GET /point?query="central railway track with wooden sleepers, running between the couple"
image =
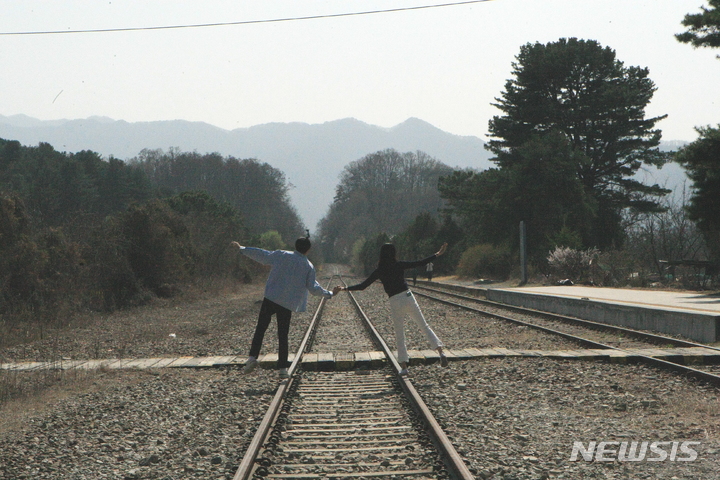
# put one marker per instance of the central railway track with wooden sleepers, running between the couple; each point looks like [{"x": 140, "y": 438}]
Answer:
[{"x": 368, "y": 424}]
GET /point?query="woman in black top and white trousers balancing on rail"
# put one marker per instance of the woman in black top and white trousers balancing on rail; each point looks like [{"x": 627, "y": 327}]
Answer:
[{"x": 402, "y": 302}]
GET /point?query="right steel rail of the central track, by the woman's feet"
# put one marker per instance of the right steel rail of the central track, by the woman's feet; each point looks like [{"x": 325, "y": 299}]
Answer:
[{"x": 452, "y": 459}]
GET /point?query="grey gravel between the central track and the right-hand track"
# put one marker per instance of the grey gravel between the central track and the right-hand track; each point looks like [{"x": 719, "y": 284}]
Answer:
[{"x": 518, "y": 418}]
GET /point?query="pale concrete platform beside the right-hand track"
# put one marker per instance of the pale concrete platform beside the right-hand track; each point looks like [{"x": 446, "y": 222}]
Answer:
[{"x": 693, "y": 315}]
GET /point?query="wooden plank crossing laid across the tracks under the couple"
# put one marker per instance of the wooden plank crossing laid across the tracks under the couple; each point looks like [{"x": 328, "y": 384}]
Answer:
[{"x": 366, "y": 360}]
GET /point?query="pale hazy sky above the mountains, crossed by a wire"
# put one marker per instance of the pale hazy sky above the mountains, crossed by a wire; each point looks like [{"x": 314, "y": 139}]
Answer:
[{"x": 443, "y": 65}]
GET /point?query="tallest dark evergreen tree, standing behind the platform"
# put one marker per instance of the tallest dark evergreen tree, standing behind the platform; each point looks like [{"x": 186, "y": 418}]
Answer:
[{"x": 578, "y": 89}]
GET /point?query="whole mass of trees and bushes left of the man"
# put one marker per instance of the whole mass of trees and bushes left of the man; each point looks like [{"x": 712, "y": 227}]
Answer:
[{"x": 80, "y": 231}]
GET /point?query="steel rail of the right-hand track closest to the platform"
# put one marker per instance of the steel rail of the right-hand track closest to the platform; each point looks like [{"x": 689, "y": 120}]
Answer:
[{"x": 647, "y": 336}]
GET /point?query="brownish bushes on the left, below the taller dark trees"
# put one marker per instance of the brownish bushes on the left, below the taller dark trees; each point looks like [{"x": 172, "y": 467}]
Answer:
[{"x": 147, "y": 250}]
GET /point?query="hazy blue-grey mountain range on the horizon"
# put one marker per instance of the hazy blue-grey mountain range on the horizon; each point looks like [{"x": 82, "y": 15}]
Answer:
[{"x": 312, "y": 156}]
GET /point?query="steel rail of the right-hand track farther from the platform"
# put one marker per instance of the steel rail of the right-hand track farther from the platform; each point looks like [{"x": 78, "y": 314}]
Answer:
[{"x": 664, "y": 364}]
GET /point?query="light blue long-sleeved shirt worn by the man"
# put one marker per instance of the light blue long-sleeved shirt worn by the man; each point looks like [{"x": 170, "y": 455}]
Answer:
[{"x": 291, "y": 277}]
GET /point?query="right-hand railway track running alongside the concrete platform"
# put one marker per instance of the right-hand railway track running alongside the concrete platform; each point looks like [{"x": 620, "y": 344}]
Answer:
[{"x": 613, "y": 337}]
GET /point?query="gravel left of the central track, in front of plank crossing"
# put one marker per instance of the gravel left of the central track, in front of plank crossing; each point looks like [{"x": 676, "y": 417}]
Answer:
[{"x": 142, "y": 424}]
